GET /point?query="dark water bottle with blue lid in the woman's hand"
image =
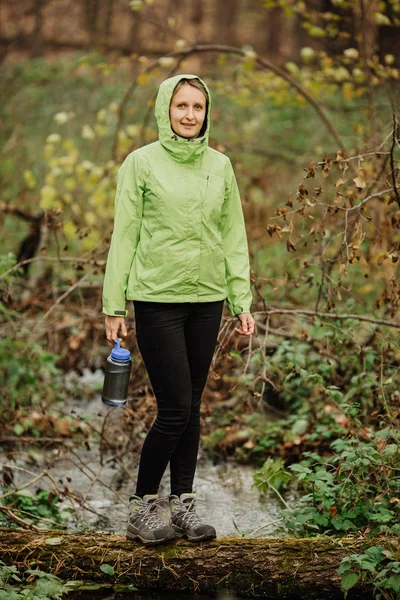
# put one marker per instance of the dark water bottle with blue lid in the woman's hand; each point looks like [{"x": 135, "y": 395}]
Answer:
[{"x": 116, "y": 380}]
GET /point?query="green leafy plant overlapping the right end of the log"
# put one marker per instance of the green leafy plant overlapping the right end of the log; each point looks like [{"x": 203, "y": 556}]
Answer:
[{"x": 377, "y": 566}]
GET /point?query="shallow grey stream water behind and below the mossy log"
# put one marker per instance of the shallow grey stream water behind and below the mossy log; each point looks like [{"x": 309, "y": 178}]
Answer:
[{"x": 232, "y": 504}]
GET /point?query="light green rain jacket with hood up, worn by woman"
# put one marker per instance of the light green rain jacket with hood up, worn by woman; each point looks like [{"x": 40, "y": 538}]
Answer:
[{"x": 179, "y": 232}]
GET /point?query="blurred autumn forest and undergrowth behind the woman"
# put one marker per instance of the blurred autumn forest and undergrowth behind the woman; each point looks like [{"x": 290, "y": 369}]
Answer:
[{"x": 306, "y": 99}]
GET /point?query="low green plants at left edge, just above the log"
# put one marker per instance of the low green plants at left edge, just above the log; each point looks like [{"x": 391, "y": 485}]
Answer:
[{"x": 43, "y": 507}]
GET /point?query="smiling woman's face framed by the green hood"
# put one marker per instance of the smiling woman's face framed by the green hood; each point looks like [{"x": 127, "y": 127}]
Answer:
[{"x": 187, "y": 111}]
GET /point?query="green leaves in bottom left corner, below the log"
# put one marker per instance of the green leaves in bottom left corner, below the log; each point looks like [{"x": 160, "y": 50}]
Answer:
[{"x": 33, "y": 585}]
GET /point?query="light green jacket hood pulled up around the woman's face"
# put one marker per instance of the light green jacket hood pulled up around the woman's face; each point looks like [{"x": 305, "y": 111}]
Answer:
[{"x": 182, "y": 149}]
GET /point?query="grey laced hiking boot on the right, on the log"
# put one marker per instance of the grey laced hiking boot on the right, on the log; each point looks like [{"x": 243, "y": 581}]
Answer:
[{"x": 186, "y": 522}]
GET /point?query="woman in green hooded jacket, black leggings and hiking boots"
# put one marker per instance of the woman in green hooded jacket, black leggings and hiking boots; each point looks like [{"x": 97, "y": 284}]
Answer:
[{"x": 178, "y": 250}]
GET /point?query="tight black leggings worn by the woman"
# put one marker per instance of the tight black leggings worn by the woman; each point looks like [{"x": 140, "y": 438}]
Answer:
[{"x": 177, "y": 342}]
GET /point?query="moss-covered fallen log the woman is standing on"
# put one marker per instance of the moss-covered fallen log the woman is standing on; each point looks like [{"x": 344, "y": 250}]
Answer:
[{"x": 295, "y": 568}]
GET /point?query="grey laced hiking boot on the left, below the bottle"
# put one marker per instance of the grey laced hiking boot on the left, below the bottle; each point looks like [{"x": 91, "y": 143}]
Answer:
[{"x": 144, "y": 523}]
